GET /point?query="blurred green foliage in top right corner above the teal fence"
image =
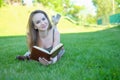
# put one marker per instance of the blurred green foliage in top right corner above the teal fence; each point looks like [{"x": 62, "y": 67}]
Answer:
[{"x": 107, "y": 7}]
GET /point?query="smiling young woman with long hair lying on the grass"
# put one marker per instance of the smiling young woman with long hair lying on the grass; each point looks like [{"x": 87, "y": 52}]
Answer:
[{"x": 42, "y": 34}]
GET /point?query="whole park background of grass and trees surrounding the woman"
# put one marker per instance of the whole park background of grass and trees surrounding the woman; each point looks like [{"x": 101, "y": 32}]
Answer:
[{"x": 90, "y": 35}]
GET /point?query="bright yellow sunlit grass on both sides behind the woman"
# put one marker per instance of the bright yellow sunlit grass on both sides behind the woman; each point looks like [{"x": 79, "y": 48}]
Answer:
[{"x": 13, "y": 21}]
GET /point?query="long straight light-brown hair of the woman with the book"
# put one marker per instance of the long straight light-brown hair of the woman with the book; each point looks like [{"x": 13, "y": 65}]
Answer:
[{"x": 32, "y": 33}]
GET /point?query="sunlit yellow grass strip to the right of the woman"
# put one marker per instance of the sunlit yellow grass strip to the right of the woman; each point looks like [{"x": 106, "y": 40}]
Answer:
[{"x": 67, "y": 27}]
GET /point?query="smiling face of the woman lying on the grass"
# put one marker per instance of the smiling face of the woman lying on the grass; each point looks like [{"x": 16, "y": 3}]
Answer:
[{"x": 40, "y": 21}]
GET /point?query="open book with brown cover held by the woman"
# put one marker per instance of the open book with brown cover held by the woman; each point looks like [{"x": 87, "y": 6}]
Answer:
[{"x": 40, "y": 52}]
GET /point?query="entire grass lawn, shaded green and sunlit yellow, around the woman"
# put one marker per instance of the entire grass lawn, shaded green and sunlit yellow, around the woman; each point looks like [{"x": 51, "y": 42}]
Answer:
[{"x": 91, "y": 54}]
